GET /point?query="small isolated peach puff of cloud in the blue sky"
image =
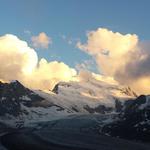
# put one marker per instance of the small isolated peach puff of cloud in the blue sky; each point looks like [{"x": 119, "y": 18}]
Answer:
[{"x": 41, "y": 41}]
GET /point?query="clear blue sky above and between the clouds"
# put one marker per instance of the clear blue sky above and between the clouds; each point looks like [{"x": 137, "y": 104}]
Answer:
[{"x": 72, "y": 18}]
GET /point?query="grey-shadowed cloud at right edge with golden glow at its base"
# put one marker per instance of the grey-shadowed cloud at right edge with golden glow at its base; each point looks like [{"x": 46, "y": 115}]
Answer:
[{"x": 137, "y": 69}]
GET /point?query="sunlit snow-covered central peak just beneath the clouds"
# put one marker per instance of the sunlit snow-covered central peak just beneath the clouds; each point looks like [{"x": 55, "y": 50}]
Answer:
[{"x": 93, "y": 96}]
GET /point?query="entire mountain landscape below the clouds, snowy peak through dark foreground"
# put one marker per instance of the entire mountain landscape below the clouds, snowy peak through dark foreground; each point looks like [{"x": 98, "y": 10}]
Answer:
[{"x": 72, "y": 114}]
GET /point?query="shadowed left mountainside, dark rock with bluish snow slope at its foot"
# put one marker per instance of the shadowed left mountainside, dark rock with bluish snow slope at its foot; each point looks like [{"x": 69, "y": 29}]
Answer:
[{"x": 20, "y": 105}]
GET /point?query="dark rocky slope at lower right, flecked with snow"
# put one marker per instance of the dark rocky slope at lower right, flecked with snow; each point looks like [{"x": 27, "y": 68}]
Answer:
[{"x": 133, "y": 122}]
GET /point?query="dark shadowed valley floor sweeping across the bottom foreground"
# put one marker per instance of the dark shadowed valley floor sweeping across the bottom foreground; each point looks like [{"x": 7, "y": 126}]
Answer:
[{"x": 73, "y": 133}]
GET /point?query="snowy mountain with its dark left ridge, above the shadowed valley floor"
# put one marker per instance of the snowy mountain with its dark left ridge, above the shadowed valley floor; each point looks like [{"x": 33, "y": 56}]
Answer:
[{"x": 20, "y": 104}]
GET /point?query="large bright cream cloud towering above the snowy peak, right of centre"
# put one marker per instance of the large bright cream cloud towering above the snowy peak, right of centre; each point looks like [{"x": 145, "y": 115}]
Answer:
[{"x": 115, "y": 44}]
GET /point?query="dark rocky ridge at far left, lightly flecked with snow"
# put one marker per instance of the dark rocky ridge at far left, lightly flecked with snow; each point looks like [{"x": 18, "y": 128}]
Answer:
[{"x": 13, "y": 95}]
